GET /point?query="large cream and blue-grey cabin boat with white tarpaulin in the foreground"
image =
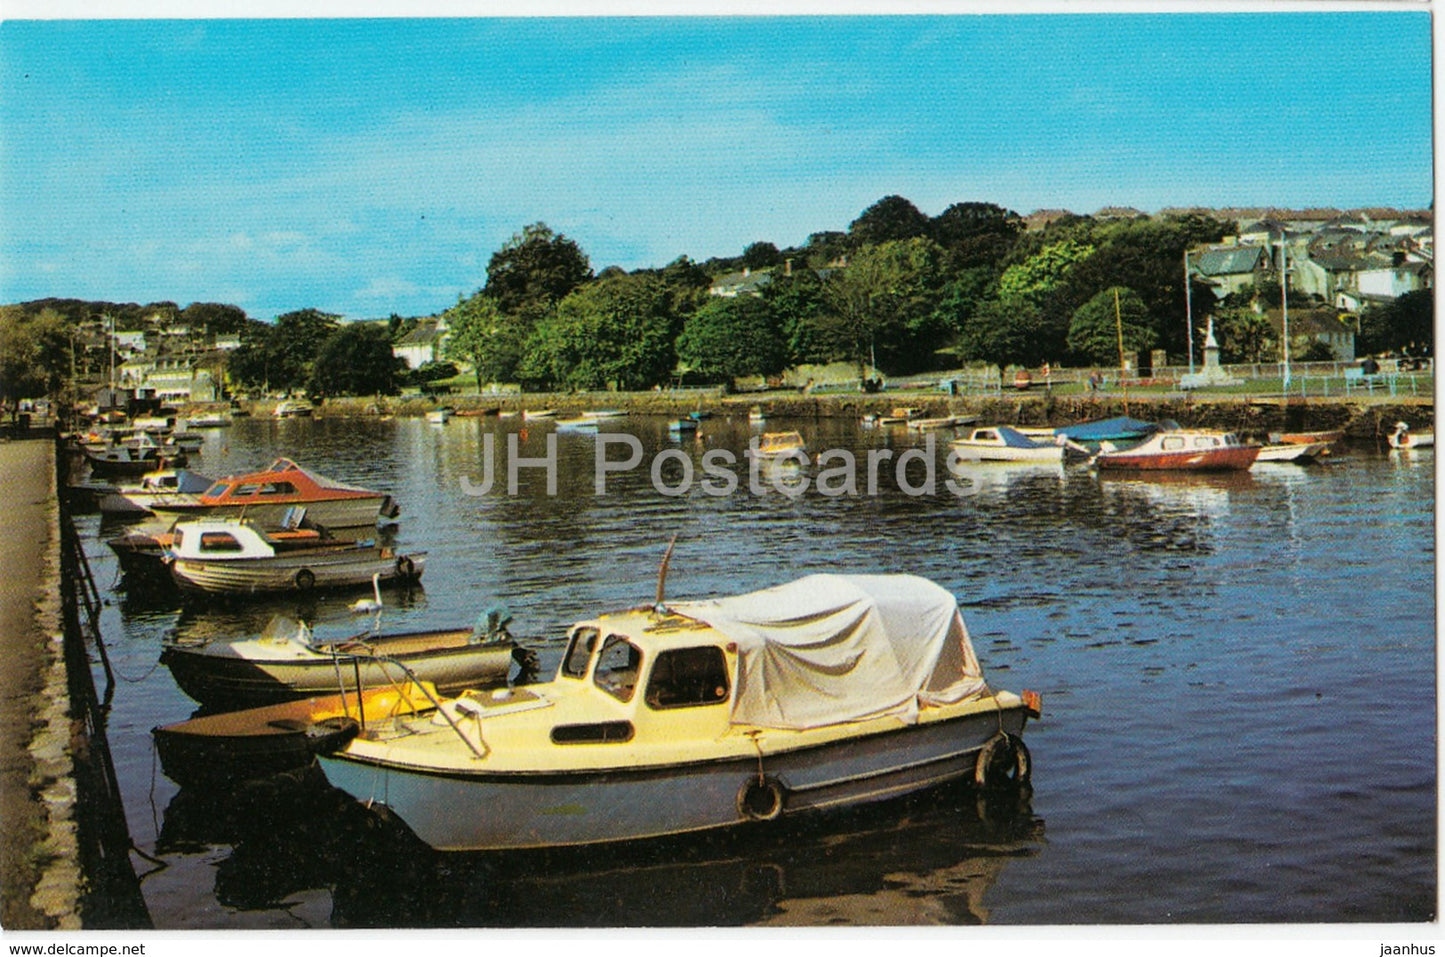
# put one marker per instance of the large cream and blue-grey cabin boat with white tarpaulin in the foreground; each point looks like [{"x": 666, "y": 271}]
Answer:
[{"x": 826, "y": 693}]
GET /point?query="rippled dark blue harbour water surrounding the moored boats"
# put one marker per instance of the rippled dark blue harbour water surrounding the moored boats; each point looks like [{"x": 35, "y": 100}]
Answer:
[{"x": 1238, "y": 674}]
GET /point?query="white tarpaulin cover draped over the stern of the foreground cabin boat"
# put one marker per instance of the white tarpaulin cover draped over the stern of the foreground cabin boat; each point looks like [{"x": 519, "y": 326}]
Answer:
[{"x": 843, "y": 648}]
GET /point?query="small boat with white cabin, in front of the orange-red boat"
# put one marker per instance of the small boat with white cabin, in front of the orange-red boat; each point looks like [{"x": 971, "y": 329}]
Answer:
[{"x": 233, "y": 557}]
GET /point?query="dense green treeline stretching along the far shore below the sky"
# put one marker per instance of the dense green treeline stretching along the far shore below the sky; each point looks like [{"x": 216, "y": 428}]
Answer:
[{"x": 898, "y": 291}]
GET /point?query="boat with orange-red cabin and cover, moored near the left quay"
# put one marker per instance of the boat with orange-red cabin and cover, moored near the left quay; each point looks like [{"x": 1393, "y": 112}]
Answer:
[{"x": 267, "y": 497}]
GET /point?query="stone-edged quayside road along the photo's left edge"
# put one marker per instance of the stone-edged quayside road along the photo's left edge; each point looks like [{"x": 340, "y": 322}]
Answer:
[{"x": 34, "y": 871}]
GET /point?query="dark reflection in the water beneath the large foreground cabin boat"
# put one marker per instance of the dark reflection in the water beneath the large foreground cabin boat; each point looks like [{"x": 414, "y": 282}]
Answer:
[{"x": 927, "y": 859}]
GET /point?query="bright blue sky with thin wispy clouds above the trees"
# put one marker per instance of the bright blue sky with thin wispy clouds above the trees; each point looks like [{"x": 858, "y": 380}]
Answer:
[{"x": 372, "y": 167}]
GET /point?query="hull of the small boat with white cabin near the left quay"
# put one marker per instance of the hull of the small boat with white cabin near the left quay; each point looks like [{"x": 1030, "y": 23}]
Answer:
[{"x": 297, "y": 572}]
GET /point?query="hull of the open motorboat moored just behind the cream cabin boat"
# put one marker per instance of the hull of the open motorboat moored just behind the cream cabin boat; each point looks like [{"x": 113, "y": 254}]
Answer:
[{"x": 446, "y": 660}]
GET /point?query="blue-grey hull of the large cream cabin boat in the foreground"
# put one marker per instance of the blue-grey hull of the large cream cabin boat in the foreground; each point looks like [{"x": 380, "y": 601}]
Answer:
[{"x": 535, "y": 810}]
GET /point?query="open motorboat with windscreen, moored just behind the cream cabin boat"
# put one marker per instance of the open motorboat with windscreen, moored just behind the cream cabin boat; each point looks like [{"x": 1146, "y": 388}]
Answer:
[{"x": 287, "y": 663}]
